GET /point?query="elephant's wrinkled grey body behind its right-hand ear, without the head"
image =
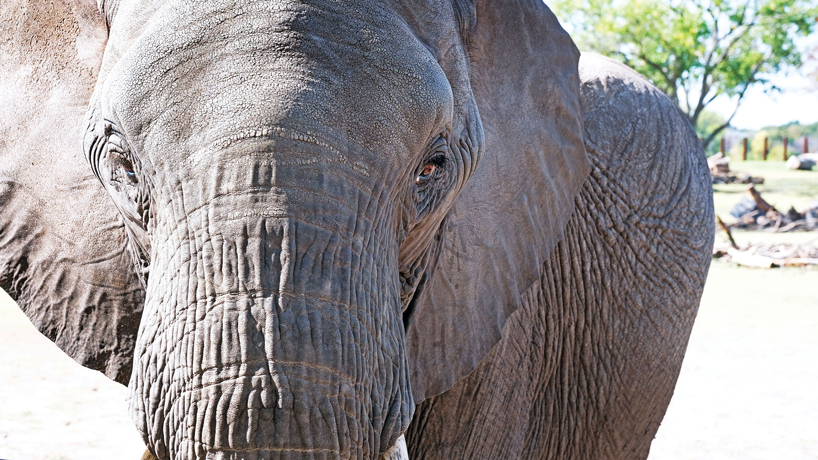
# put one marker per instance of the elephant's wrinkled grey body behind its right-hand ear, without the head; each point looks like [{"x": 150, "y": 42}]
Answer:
[{"x": 586, "y": 368}]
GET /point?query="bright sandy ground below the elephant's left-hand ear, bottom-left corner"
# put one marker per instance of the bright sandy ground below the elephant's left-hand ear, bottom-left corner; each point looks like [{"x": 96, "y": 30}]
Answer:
[{"x": 51, "y": 408}]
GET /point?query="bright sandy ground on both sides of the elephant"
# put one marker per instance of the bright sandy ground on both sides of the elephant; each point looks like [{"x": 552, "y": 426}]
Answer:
[{"x": 747, "y": 389}]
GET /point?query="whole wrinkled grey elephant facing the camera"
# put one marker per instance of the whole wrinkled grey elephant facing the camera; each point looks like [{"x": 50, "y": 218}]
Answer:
[{"x": 362, "y": 229}]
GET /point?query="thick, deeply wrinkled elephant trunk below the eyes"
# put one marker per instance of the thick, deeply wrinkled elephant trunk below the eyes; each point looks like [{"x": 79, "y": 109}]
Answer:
[{"x": 269, "y": 333}]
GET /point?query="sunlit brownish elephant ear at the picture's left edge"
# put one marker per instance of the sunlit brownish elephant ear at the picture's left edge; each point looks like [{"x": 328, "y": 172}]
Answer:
[{"x": 63, "y": 254}]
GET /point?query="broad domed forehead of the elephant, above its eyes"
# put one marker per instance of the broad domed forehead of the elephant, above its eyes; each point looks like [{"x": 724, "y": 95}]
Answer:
[{"x": 206, "y": 74}]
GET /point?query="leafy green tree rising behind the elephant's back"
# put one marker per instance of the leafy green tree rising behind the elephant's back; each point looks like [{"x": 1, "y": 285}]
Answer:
[{"x": 695, "y": 50}]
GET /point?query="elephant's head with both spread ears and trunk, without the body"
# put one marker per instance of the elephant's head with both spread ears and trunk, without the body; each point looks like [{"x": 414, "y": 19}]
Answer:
[{"x": 328, "y": 209}]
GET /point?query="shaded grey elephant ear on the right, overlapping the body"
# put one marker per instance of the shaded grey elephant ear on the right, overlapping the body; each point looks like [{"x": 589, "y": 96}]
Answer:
[{"x": 512, "y": 213}]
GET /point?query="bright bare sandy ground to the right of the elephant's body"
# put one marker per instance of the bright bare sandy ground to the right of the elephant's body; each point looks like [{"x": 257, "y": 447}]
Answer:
[{"x": 749, "y": 385}]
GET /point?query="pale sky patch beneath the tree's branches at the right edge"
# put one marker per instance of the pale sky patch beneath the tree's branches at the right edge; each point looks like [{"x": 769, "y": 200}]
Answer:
[{"x": 797, "y": 101}]
